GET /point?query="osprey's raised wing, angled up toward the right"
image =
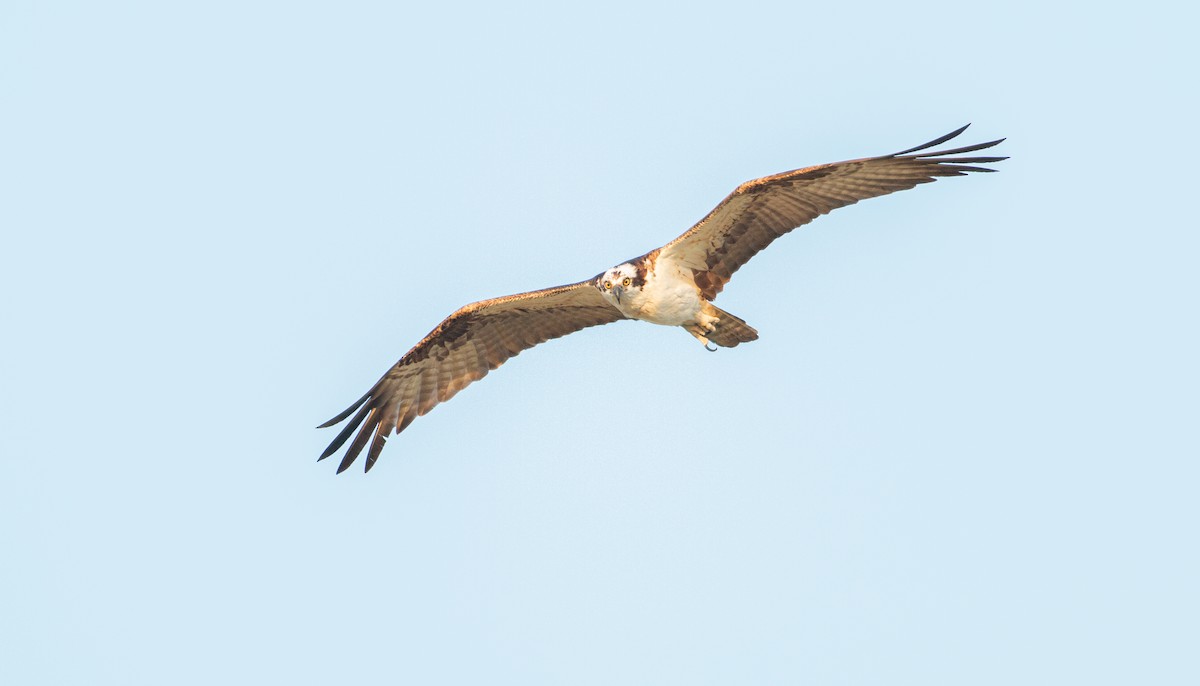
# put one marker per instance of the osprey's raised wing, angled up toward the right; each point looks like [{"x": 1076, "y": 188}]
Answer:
[{"x": 763, "y": 210}]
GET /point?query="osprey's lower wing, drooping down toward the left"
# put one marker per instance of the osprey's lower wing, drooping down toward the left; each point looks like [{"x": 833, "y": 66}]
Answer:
[{"x": 463, "y": 350}]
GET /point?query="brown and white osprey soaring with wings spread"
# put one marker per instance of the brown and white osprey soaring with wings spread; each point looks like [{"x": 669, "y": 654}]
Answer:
[{"x": 674, "y": 286}]
